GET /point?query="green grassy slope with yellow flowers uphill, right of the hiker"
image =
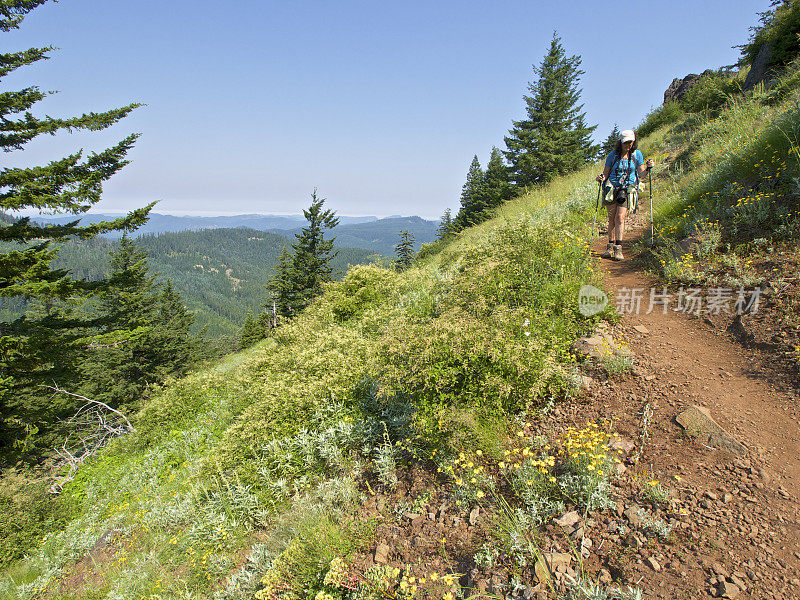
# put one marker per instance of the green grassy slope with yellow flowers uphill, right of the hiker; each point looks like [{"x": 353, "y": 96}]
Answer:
[{"x": 733, "y": 187}]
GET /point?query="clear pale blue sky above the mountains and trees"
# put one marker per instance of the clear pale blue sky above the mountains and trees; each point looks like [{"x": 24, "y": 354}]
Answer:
[{"x": 379, "y": 105}]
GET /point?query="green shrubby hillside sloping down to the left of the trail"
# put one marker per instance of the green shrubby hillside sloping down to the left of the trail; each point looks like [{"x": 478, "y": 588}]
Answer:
[{"x": 386, "y": 369}]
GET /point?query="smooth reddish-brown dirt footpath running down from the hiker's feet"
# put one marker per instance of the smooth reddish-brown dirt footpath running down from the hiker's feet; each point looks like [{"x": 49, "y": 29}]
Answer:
[{"x": 712, "y": 369}]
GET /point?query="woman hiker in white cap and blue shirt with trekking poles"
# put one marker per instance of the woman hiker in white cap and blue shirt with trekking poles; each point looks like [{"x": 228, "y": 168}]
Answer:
[{"x": 620, "y": 176}]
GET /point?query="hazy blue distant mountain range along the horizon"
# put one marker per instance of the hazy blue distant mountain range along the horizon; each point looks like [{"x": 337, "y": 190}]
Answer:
[{"x": 369, "y": 233}]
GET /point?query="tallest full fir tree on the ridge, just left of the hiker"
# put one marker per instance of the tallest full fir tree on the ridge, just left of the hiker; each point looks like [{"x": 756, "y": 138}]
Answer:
[{"x": 554, "y": 140}]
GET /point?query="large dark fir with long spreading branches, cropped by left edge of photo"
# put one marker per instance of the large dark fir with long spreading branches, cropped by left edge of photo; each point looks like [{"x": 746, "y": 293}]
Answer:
[{"x": 72, "y": 185}]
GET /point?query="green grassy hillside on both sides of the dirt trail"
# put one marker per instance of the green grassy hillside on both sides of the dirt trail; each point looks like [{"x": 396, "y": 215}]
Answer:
[{"x": 243, "y": 481}]
